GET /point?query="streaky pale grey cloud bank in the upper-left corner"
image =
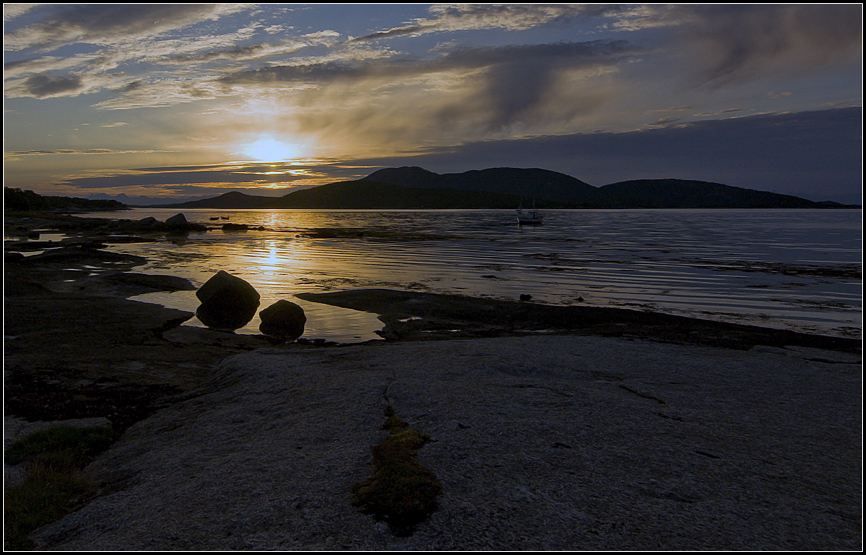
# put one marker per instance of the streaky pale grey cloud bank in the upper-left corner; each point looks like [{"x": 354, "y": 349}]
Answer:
[{"x": 117, "y": 46}]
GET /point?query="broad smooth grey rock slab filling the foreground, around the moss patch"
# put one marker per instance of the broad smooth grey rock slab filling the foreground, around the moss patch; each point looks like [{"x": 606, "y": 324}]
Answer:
[{"x": 539, "y": 443}]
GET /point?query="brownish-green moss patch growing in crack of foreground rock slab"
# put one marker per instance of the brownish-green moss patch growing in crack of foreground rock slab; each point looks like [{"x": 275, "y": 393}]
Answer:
[{"x": 401, "y": 491}]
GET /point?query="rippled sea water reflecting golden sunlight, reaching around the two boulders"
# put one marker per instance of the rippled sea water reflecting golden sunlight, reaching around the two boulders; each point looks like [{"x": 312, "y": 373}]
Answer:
[{"x": 793, "y": 269}]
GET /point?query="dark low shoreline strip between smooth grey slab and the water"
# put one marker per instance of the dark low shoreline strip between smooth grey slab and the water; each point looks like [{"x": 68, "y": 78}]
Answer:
[{"x": 71, "y": 304}]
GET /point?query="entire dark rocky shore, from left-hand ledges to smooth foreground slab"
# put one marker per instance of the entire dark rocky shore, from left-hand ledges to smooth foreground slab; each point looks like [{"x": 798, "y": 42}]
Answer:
[{"x": 552, "y": 427}]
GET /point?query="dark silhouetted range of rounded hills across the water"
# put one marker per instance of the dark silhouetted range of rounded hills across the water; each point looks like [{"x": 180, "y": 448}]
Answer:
[{"x": 417, "y": 188}]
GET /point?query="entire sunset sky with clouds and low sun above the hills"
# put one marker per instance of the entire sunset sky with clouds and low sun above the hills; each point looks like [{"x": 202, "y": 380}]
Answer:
[{"x": 169, "y": 102}]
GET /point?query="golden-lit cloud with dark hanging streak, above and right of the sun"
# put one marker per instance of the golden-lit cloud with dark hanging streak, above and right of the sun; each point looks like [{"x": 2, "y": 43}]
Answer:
[{"x": 460, "y": 90}]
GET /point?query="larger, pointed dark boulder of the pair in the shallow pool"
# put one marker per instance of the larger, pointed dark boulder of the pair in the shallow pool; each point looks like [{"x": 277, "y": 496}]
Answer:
[{"x": 227, "y": 302}]
